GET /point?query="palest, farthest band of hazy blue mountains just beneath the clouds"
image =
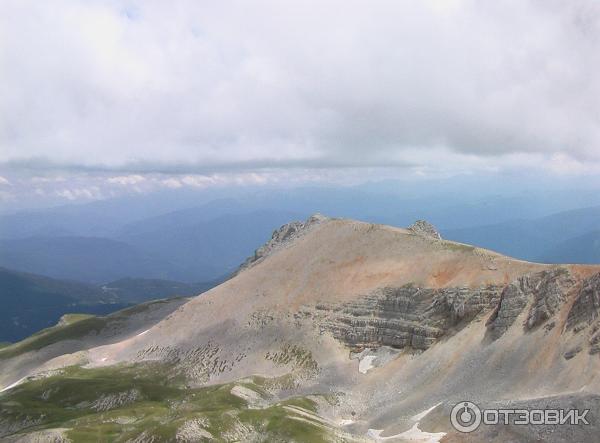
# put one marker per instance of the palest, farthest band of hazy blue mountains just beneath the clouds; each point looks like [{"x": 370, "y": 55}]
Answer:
[{"x": 452, "y": 203}]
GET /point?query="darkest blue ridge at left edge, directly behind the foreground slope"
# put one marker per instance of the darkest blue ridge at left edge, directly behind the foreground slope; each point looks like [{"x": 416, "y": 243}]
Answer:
[{"x": 32, "y": 302}]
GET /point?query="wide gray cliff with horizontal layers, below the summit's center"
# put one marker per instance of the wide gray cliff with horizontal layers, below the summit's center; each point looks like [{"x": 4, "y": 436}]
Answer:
[{"x": 406, "y": 316}]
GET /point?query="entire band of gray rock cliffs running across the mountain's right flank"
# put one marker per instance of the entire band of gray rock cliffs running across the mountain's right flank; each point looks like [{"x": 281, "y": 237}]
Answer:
[{"x": 411, "y": 317}]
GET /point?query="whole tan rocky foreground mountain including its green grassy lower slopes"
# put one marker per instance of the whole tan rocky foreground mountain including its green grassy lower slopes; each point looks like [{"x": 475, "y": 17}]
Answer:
[{"x": 334, "y": 330}]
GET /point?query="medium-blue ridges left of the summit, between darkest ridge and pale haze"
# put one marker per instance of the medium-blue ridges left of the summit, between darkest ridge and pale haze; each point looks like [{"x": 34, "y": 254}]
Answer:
[{"x": 184, "y": 245}]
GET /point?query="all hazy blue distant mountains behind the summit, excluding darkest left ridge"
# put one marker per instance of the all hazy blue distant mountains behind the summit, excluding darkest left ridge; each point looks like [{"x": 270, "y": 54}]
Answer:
[{"x": 120, "y": 238}]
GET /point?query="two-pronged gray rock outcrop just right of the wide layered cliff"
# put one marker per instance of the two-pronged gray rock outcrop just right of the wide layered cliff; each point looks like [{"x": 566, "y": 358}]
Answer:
[{"x": 546, "y": 290}]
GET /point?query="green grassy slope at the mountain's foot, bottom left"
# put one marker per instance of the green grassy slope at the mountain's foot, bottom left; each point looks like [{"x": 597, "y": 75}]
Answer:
[{"x": 162, "y": 406}]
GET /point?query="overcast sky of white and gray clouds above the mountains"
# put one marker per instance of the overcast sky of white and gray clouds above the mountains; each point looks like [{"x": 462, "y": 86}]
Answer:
[{"x": 222, "y": 90}]
